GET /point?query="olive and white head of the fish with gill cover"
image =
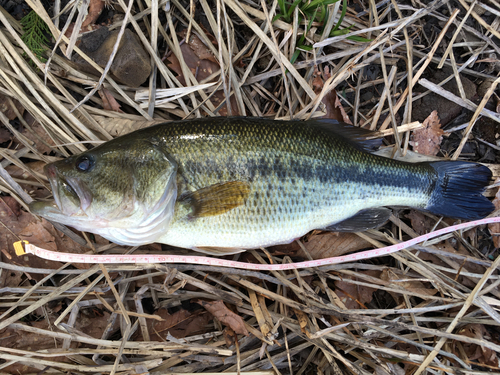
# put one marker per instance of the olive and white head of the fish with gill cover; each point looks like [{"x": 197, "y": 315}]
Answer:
[{"x": 125, "y": 192}]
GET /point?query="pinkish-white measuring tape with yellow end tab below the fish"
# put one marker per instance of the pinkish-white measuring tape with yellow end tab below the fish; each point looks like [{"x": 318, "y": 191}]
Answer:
[{"x": 194, "y": 259}]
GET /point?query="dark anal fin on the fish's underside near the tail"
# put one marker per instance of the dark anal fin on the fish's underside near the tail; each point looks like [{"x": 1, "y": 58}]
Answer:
[{"x": 363, "y": 220}]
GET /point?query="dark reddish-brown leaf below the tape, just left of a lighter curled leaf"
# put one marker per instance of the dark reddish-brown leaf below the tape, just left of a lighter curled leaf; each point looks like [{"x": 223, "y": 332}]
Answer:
[{"x": 179, "y": 324}]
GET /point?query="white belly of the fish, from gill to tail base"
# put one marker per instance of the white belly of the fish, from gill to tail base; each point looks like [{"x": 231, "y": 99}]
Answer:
[{"x": 238, "y": 230}]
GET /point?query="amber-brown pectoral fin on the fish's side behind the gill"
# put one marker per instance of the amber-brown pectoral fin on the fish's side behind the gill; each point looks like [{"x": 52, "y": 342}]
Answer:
[{"x": 217, "y": 199}]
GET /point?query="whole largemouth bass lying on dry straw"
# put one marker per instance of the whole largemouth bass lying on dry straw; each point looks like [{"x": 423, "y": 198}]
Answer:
[{"x": 224, "y": 185}]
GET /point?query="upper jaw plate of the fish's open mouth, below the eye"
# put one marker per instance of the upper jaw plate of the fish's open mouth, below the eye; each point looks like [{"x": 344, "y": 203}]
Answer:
[{"x": 70, "y": 194}]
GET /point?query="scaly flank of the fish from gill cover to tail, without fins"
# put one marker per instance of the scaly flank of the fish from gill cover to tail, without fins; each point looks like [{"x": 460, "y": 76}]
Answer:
[{"x": 278, "y": 210}]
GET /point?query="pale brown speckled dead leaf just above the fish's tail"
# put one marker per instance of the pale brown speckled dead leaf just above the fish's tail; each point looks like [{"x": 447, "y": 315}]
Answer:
[{"x": 427, "y": 140}]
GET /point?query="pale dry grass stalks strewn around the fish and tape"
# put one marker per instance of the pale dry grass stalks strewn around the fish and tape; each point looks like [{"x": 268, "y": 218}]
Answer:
[{"x": 299, "y": 322}]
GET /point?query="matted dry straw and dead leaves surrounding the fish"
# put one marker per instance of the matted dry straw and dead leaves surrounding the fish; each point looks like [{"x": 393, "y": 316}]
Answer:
[{"x": 430, "y": 309}]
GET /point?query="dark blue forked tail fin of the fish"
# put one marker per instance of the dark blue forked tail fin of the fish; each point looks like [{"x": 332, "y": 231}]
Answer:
[{"x": 458, "y": 190}]
